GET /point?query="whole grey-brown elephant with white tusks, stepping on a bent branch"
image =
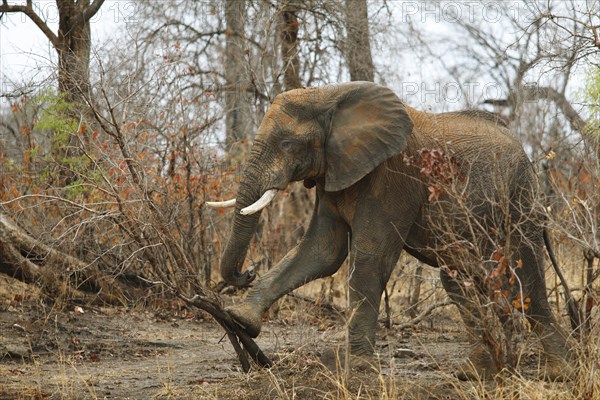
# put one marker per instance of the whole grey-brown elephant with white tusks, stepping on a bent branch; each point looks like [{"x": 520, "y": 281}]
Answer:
[{"x": 364, "y": 150}]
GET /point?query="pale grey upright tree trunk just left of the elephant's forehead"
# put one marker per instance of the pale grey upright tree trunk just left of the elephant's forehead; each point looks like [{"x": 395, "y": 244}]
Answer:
[{"x": 237, "y": 107}]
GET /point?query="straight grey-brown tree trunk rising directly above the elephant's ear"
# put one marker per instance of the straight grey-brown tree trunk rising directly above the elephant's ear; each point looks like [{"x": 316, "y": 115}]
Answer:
[{"x": 358, "y": 46}]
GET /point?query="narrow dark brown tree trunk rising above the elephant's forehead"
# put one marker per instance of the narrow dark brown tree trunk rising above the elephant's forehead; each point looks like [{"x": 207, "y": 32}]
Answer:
[{"x": 288, "y": 28}]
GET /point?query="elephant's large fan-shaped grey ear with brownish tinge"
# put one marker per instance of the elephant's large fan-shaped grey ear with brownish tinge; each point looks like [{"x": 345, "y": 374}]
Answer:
[{"x": 369, "y": 125}]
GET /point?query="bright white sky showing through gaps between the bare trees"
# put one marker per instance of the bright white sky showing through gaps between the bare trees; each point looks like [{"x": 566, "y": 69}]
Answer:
[{"x": 27, "y": 56}]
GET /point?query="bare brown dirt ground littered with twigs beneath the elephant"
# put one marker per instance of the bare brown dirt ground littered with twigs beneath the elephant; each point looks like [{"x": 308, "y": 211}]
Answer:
[{"x": 109, "y": 353}]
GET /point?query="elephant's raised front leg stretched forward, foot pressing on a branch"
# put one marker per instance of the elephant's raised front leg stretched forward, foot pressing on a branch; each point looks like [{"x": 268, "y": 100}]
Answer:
[{"x": 319, "y": 254}]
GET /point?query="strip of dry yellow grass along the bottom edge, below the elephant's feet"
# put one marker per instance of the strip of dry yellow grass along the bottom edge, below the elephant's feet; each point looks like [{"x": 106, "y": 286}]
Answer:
[{"x": 298, "y": 378}]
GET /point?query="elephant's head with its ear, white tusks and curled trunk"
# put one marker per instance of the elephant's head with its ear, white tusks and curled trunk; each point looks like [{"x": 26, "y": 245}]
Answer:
[{"x": 333, "y": 135}]
